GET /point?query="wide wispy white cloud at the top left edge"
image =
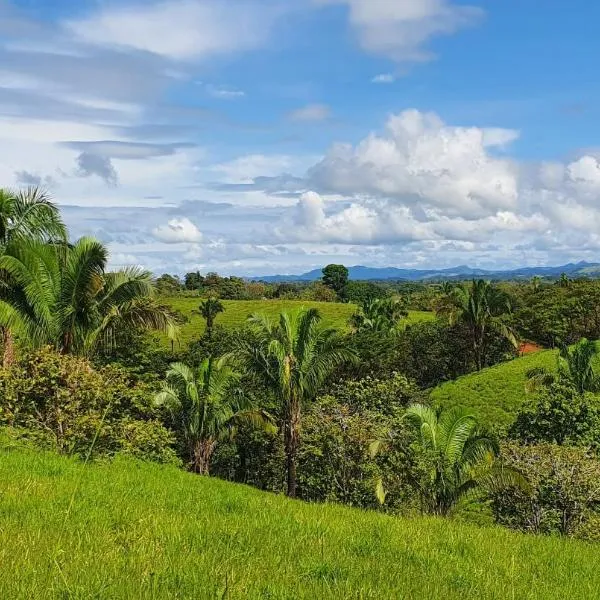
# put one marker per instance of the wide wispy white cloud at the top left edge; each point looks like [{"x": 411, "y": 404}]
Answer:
[{"x": 177, "y": 29}]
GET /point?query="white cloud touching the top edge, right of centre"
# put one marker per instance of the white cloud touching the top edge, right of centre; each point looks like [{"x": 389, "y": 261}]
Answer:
[{"x": 402, "y": 29}]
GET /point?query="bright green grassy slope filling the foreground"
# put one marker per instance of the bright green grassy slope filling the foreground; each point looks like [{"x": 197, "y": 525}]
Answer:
[{"x": 135, "y": 530}]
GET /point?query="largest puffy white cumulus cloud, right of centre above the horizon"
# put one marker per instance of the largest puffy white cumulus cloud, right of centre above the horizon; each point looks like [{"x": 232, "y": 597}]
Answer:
[{"x": 421, "y": 161}]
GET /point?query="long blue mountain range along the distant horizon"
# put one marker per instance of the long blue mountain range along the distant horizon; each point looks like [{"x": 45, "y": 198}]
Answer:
[{"x": 360, "y": 273}]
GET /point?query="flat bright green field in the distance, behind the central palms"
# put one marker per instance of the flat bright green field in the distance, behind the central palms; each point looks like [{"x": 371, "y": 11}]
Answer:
[{"x": 237, "y": 312}]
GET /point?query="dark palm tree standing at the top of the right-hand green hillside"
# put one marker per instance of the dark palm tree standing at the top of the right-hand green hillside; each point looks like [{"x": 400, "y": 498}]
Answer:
[{"x": 479, "y": 308}]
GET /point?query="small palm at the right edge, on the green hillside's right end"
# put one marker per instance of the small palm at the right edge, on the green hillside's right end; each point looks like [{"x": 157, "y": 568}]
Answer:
[{"x": 574, "y": 364}]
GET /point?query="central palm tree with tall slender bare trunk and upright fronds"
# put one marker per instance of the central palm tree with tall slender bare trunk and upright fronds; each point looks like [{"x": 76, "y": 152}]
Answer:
[{"x": 293, "y": 357}]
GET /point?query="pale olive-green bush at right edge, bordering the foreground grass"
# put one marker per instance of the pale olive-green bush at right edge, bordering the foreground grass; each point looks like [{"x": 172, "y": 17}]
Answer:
[{"x": 564, "y": 497}]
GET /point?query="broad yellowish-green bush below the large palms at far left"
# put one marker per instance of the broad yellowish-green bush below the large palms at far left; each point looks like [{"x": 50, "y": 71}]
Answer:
[{"x": 62, "y": 402}]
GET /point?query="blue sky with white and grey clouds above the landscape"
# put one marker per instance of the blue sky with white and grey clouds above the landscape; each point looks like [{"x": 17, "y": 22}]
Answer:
[{"x": 255, "y": 137}]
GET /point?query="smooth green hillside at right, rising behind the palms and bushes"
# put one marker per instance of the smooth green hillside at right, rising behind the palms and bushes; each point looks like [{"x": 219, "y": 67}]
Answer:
[{"x": 495, "y": 393}]
